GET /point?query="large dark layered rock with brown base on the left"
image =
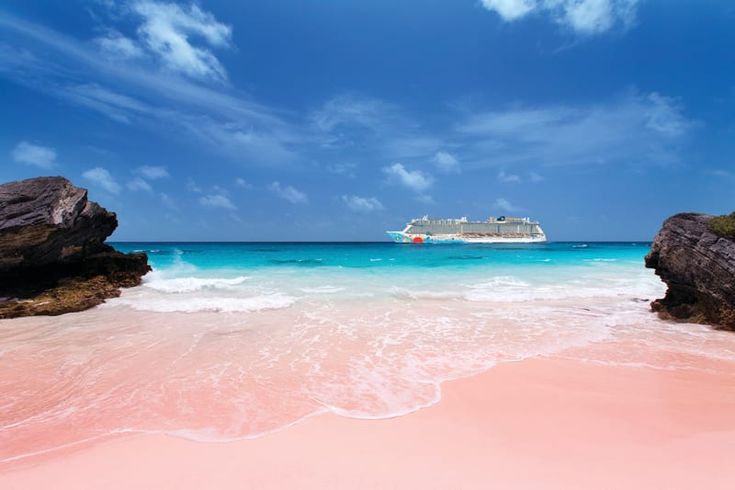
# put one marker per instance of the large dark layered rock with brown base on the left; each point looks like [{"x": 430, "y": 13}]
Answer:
[{"x": 53, "y": 258}]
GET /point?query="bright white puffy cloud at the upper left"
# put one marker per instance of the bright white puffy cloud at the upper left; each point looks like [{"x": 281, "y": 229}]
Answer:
[{"x": 168, "y": 30}]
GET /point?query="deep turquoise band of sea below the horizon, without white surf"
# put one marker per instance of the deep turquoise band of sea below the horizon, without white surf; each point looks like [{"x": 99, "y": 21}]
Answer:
[{"x": 382, "y": 256}]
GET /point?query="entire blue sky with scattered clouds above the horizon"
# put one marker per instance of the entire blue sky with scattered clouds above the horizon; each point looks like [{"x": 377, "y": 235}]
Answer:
[{"x": 337, "y": 120}]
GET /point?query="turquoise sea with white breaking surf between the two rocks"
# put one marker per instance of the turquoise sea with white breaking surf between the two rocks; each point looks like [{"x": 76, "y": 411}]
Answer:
[{"x": 248, "y": 277}]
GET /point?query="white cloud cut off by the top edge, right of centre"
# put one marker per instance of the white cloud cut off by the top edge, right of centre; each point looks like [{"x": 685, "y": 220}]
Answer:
[{"x": 582, "y": 16}]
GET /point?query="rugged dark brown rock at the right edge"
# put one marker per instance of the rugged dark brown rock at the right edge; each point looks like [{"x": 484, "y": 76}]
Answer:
[{"x": 698, "y": 267}]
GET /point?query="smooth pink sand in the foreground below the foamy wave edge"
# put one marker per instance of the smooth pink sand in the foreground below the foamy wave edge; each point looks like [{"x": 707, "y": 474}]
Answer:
[{"x": 523, "y": 424}]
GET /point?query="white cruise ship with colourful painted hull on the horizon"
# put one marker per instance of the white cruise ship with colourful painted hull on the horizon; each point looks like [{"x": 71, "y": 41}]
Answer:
[{"x": 503, "y": 229}]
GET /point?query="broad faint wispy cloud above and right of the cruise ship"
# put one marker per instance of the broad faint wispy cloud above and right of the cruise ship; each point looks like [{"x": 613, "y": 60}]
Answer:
[{"x": 633, "y": 129}]
